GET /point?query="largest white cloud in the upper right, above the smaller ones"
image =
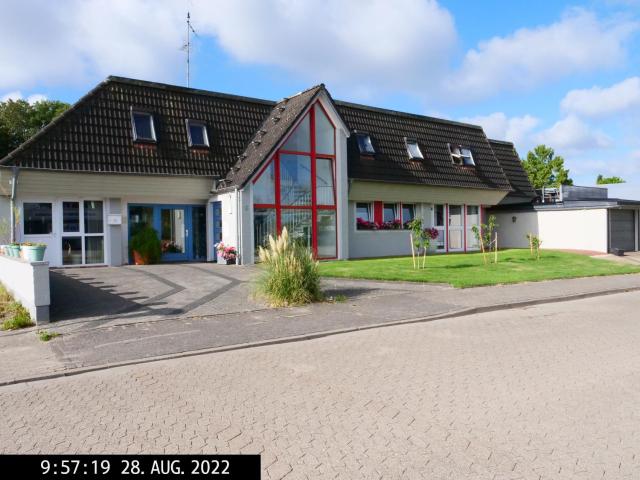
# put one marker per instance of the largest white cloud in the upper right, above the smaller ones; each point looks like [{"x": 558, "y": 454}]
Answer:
[{"x": 579, "y": 42}]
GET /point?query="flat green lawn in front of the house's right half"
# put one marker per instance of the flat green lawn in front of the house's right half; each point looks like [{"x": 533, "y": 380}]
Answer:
[{"x": 468, "y": 270}]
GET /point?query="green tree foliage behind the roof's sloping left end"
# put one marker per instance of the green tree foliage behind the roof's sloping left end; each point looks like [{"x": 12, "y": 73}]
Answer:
[{"x": 20, "y": 120}]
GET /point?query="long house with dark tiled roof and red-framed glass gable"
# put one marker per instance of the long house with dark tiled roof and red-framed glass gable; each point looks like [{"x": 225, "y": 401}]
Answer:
[{"x": 203, "y": 167}]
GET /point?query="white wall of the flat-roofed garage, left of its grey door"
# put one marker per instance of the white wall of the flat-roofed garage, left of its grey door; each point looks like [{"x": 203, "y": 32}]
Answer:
[{"x": 558, "y": 229}]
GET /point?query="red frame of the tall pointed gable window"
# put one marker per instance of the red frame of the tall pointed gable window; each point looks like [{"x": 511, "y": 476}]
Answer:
[{"x": 313, "y": 207}]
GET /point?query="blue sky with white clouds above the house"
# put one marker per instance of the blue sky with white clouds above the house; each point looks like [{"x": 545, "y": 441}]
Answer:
[{"x": 566, "y": 74}]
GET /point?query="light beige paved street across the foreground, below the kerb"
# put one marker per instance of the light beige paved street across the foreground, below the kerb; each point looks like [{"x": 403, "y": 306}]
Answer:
[{"x": 547, "y": 392}]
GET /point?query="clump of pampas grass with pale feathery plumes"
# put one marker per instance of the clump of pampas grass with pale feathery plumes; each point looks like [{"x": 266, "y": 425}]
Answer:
[{"x": 290, "y": 275}]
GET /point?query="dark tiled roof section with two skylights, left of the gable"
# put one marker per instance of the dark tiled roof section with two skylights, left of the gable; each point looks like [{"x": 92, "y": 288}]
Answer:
[{"x": 95, "y": 134}]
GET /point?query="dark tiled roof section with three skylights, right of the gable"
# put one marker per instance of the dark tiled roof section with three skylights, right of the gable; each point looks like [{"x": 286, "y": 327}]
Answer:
[{"x": 391, "y": 162}]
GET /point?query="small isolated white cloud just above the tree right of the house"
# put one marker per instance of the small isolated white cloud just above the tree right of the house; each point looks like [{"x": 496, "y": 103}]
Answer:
[{"x": 573, "y": 135}]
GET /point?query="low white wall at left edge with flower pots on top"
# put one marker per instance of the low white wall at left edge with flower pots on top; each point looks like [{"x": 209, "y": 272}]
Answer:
[{"x": 29, "y": 284}]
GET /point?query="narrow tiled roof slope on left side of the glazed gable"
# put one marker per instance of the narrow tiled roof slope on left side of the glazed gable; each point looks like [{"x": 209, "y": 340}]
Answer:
[{"x": 274, "y": 128}]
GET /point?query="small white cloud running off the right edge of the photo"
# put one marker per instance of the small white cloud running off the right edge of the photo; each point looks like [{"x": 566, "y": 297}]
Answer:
[{"x": 600, "y": 102}]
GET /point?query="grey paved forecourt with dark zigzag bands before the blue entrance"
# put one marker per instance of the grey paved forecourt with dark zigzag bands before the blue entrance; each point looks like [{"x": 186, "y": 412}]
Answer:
[{"x": 151, "y": 292}]
